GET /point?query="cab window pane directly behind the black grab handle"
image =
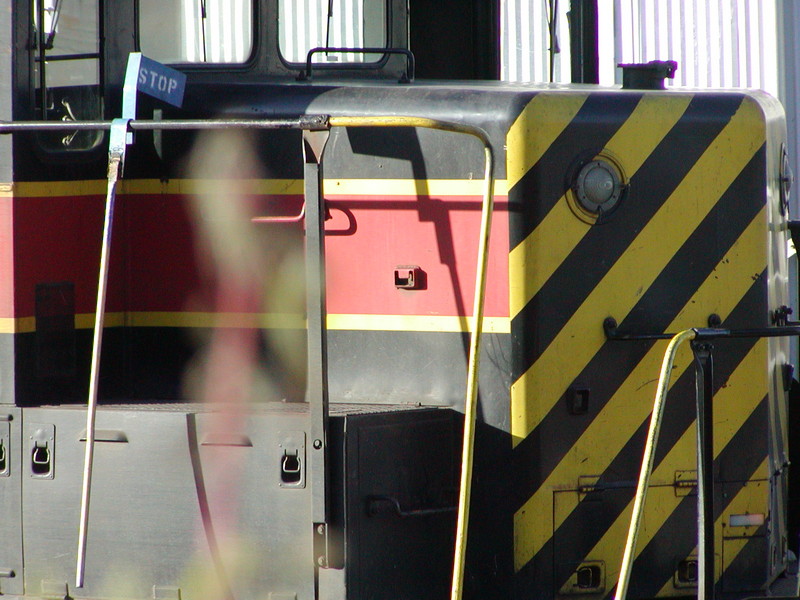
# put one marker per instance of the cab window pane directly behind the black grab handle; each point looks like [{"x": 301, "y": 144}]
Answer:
[{"x": 307, "y": 24}]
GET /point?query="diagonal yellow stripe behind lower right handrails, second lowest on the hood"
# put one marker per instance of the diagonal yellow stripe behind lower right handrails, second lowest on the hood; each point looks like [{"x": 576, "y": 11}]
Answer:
[{"x": 733, "y": 403}]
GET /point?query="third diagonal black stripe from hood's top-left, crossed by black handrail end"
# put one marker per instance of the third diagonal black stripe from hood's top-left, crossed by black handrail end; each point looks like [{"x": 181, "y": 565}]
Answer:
[{"x": 542, "y": 450}]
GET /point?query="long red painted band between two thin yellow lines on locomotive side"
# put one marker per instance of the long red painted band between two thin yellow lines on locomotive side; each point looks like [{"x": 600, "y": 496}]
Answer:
[{"x": 154, "y": 265}]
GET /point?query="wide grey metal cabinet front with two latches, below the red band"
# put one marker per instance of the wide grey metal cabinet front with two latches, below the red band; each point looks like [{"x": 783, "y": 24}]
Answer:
[{"x": 190, "y": 501}]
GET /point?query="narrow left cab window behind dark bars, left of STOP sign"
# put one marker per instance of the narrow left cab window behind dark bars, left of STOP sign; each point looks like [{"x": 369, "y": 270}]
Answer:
[{"x": 67, "y": 68}]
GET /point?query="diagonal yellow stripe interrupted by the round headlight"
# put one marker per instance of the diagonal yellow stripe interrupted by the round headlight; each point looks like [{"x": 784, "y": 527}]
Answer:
[{"x": 535, "y": 259}]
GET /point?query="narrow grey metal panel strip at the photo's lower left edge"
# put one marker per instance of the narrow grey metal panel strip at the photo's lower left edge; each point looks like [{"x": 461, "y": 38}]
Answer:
[{"x": 10, "y": 503}]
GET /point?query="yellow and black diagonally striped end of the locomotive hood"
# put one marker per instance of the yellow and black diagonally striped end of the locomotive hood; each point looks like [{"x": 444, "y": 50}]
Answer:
[{"x": 690, "y": 238}]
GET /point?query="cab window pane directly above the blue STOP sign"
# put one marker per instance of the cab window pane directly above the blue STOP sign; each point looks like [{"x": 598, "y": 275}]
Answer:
[{"x": 196, "y": 31}]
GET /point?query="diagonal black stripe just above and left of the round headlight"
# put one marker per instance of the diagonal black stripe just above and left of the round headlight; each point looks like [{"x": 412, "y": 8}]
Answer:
[{"x": 589, "y": 131}]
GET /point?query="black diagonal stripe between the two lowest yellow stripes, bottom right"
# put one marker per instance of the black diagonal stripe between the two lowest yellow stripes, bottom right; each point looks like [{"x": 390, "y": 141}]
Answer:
[{"x": 678, "y": 535}]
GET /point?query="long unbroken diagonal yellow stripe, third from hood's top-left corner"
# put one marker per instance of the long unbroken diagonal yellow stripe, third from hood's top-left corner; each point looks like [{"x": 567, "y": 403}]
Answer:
[{"x": 535, "y": 393}]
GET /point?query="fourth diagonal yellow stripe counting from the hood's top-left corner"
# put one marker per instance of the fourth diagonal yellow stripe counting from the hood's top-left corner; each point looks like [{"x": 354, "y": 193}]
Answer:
[{"x": 632, "y": 402}]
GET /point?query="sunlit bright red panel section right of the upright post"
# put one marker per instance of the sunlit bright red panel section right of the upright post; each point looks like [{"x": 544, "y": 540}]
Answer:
[{"x": 368, "y": 237}]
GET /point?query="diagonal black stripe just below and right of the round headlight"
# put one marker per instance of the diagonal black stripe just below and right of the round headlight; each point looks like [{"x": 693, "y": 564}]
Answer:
[{"x": 535, "y": 327}]
